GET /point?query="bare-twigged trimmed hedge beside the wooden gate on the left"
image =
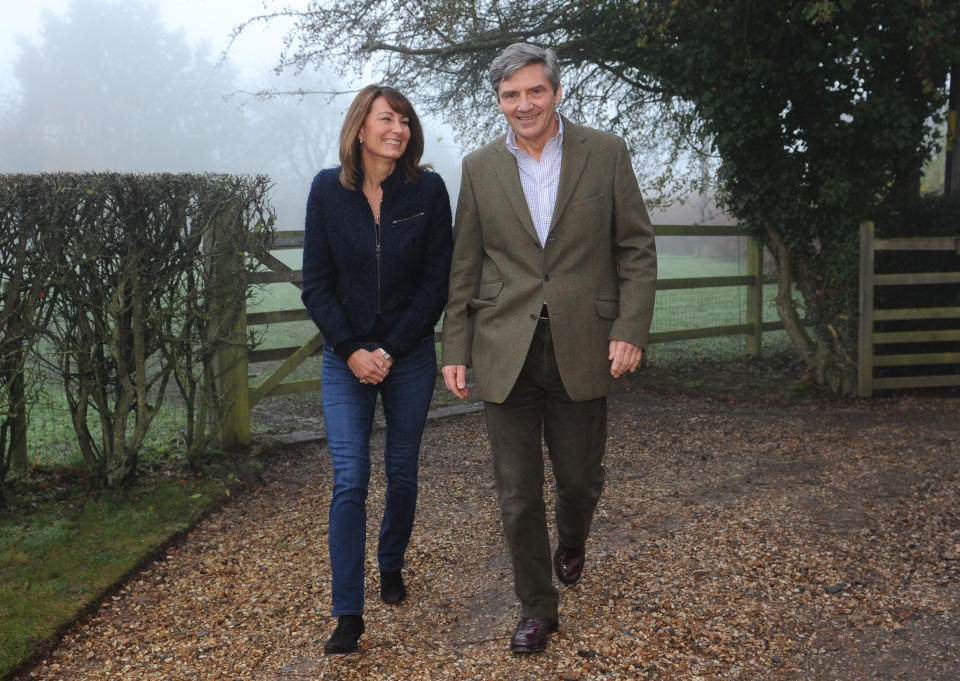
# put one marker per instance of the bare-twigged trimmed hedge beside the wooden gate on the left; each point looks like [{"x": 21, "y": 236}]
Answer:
[{"x": 123, "y": 285}]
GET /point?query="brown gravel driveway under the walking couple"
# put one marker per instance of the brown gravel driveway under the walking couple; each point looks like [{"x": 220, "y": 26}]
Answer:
[{"x": 735, "y": 540}]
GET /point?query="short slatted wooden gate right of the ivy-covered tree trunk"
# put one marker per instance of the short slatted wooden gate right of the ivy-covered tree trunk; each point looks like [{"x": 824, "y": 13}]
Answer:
[{"x": 869, "y": 338}]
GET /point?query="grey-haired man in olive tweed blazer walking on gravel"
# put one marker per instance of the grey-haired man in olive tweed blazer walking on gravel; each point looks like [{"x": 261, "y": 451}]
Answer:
[{"x": 551, "y": 296}]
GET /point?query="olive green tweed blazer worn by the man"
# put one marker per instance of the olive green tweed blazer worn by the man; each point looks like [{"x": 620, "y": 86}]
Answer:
[{"x": 597, "y": 271}]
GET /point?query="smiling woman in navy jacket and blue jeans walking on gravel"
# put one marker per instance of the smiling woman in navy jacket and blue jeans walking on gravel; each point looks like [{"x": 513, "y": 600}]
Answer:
[{"x": 376, "y": 257}]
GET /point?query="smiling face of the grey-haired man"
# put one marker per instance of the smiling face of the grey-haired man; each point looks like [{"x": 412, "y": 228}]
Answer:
[{"x": 528, "y": 101}]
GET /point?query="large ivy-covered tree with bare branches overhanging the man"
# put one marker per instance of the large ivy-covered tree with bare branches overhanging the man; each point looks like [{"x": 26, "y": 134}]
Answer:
[{"x": 821, "y": 112}]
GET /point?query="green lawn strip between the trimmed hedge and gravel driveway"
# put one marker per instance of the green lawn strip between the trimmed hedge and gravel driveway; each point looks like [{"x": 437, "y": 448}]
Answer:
[{"x": 64, "y": 543}]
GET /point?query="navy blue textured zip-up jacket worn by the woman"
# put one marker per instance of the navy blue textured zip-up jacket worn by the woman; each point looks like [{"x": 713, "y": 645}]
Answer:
[{"x": 347, "y": 282}]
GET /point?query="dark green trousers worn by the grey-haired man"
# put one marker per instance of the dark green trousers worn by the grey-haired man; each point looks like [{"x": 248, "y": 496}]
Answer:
[{"x": 538, "y": 409}]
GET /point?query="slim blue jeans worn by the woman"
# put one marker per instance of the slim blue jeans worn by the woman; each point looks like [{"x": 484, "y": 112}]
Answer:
[{"x": 348, "y": 409}]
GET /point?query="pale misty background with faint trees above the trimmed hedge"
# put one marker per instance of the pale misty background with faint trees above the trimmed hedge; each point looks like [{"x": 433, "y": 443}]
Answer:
[{"x": 145, "y": 86}]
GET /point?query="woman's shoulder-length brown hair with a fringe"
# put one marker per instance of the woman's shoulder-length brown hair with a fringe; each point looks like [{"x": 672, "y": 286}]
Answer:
[{"x": 350, "y": 144}]
